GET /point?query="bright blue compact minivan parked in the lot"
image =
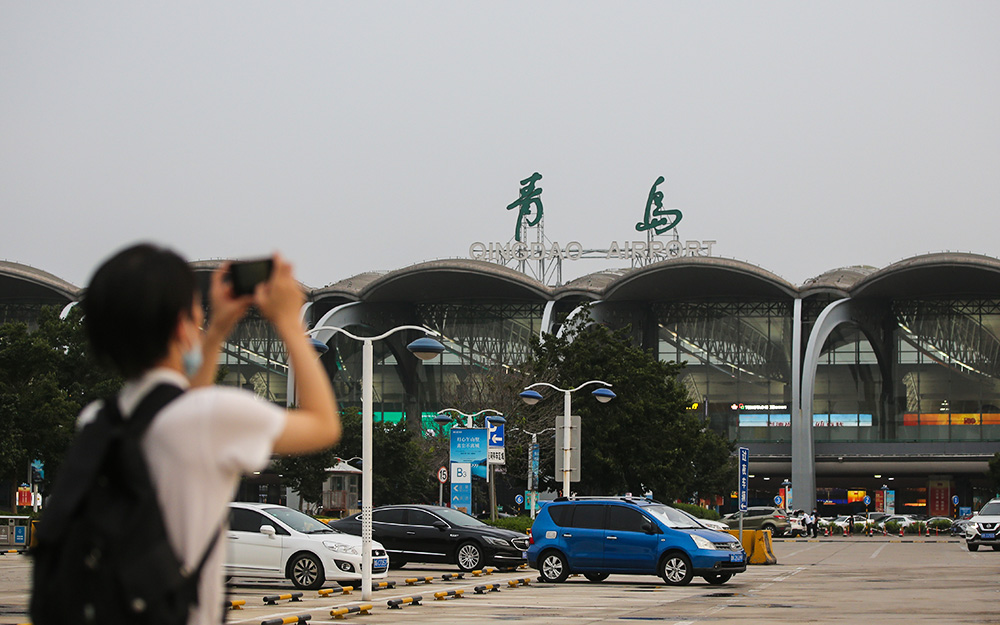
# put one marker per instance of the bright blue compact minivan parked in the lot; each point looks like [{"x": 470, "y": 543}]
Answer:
[{"x": 598, "y": 537}]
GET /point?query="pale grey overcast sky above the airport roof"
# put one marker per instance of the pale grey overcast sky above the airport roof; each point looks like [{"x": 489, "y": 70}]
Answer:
[{"x": 356, "y": 136}]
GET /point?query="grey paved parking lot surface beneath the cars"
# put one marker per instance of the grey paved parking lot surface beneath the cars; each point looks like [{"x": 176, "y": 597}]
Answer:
[{"x": 825, "y": 581}]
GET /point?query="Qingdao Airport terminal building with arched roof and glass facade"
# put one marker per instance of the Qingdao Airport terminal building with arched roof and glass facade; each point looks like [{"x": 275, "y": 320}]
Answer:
[{"x": 883, "y": 382}]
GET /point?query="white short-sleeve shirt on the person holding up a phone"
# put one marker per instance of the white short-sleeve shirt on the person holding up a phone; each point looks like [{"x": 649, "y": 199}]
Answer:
[{"x": 197, "y": 448}]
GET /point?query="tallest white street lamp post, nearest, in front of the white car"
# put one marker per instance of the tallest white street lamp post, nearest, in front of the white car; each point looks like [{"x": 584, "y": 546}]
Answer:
[{"x": 424, "y": 348}]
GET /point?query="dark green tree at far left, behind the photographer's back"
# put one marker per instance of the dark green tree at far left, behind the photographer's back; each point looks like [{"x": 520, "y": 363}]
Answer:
[{"x": 47, "y": 375}]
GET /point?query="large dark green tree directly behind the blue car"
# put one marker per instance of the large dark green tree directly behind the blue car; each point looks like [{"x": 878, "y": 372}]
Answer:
[{"x": 644, "y": 440}]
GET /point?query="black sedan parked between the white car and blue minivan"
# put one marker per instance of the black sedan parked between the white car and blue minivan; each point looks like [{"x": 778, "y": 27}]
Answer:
[{"x": 419, "y": 533}]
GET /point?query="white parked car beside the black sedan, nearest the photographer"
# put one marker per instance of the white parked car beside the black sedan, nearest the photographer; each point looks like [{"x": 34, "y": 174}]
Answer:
[{"x": 275, "y": 542}]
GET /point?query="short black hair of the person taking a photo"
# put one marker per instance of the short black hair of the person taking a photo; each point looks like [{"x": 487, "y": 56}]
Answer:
[{"x": 132, "y": 305}]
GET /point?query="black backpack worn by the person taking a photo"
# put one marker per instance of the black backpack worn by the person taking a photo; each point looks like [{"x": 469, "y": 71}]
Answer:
[{"x": 103, "y": 555}]
